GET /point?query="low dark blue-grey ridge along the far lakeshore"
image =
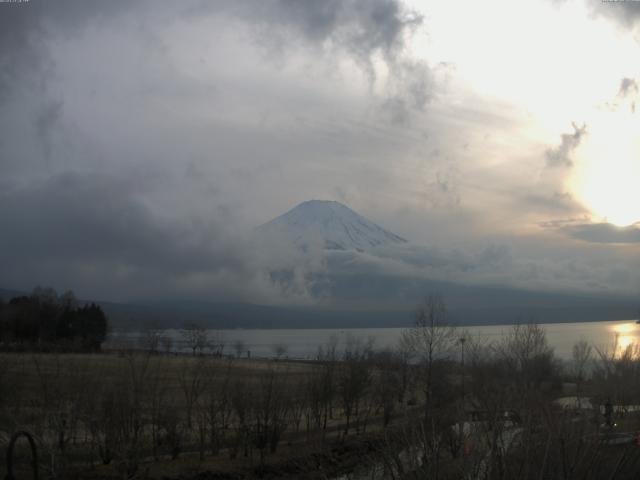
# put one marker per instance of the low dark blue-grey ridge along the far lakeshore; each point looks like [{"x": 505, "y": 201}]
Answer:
[{"x": 468, "y": 306}]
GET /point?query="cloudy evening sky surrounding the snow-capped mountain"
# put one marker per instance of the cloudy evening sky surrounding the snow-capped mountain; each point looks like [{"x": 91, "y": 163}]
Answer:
[{"x": 142, "y": 141}]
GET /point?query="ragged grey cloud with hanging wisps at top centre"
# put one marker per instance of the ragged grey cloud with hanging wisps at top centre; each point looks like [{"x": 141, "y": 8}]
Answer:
[{"x": 361, "y": 29}]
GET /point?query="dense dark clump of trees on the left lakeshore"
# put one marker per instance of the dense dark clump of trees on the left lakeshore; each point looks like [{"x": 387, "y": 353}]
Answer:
[{"x": 45, "y": 320}]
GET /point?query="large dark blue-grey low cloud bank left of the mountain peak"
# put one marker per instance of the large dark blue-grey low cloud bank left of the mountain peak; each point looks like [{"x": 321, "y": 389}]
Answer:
[{"x": 90, "y": 222}]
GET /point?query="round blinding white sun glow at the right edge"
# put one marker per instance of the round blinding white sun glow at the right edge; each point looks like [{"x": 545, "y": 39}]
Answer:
[{"x": 607, "y": 169}]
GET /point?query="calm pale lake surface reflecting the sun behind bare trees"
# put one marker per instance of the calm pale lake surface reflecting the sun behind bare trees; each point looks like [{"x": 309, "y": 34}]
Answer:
[{"x": 304, "y": 343}]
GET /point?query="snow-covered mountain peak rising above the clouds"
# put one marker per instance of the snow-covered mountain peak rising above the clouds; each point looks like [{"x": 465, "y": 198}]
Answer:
[{"x": 329, "y": 225}]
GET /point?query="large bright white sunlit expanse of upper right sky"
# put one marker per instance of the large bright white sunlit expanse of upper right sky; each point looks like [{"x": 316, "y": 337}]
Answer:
[{"x": 556, "y": 78}]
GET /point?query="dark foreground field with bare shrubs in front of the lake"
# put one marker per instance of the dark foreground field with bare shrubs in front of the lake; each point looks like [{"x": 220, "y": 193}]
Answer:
[{"x": 126, "y": 415}]
